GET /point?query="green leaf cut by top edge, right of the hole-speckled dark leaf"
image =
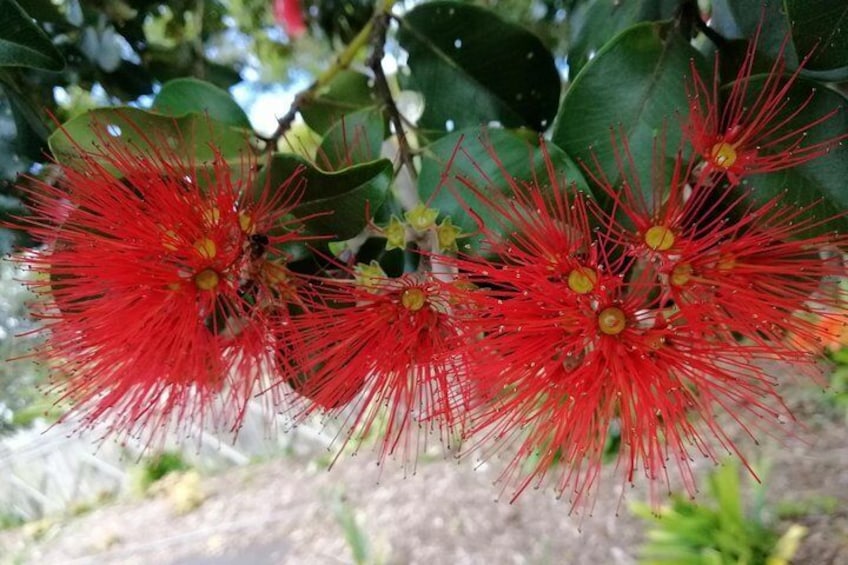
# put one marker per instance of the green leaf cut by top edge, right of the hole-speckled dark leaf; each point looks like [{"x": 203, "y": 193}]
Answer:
[{"x": 597, "y": 21}]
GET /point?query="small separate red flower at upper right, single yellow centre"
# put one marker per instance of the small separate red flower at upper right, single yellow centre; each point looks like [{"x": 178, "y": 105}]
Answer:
[{"x": 753, "y": 129}]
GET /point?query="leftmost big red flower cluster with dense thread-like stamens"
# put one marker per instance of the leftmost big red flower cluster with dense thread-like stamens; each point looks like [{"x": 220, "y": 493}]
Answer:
[{"x": 162, "y": 290}]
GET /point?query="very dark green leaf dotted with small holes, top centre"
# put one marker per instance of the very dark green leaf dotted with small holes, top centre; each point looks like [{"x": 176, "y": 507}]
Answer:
[{"x": 473, "y": 68}]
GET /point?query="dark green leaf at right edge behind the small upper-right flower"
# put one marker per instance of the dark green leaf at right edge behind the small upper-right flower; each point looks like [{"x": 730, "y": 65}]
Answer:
[{"x": 820, "y": 181}]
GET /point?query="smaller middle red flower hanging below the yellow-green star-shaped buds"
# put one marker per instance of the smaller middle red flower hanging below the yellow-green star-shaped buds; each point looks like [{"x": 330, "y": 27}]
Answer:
[{"x": 387, "y": 360}]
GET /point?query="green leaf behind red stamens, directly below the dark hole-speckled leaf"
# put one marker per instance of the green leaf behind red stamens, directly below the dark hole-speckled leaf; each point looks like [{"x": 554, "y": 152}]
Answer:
[{"x": 470, "y": 155}]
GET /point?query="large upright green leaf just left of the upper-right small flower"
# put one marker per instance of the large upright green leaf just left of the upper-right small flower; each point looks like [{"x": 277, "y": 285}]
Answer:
[{"x": 634, "y": 87}]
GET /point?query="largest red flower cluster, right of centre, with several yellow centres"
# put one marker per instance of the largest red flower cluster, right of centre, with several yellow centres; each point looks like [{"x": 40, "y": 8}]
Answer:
[{"x": 584, "y": 330}]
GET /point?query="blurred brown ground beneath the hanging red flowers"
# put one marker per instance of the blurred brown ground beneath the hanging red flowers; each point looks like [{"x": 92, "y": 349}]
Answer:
[{"x": 292, "y": 510}]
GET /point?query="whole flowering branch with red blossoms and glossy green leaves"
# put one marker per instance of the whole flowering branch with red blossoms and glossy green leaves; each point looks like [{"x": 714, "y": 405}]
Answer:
[{"x": 554, "y": 262}]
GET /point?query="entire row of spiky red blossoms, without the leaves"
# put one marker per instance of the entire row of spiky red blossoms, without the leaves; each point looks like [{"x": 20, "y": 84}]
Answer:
[{"x": 646, "y": 315}]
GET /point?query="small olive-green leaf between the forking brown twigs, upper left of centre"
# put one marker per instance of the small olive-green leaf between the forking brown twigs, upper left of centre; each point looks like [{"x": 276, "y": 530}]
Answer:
[{"x": 346, "y": 93}]
